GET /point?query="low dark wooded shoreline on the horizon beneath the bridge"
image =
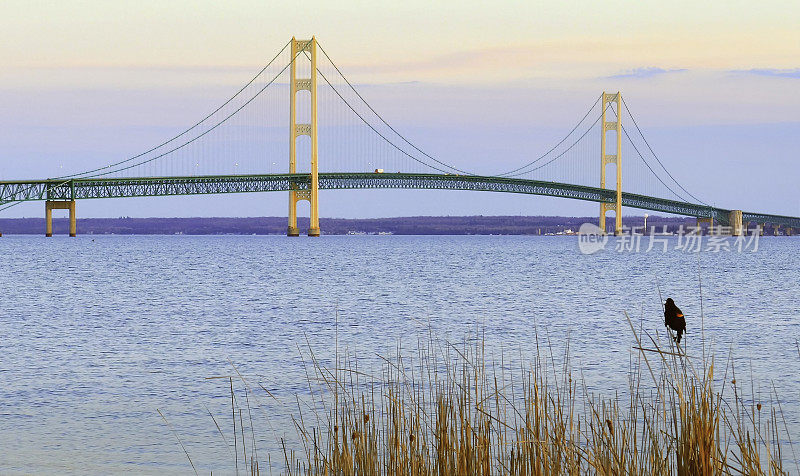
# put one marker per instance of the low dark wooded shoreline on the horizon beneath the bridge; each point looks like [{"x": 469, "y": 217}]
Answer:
[{"x": 420, "y": 225}]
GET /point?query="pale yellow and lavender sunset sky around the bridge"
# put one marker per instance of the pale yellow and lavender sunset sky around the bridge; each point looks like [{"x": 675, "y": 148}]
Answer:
[{"x": 715, "y": 86}]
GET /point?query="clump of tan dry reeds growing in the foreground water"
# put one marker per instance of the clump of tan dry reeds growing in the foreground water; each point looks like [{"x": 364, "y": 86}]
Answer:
[{"x": 448, "y": 411}]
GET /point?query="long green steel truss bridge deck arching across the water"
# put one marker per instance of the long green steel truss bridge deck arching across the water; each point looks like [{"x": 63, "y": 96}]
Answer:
[{"x": 86, "y": 188}]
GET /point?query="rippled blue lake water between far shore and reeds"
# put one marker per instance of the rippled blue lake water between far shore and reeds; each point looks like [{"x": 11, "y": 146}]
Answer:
[{"x": 96, "y": 333}]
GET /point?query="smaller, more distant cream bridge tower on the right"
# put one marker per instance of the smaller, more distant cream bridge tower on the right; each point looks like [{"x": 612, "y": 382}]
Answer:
[{"x": 615, "y": 158}]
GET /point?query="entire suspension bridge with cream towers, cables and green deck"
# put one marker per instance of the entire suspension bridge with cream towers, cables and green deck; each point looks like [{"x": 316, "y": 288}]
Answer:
[{"x": 241, "y": 146}]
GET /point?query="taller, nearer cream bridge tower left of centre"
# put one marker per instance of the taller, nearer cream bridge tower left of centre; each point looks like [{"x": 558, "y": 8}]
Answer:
[{"x": 301, "y": 48}]
